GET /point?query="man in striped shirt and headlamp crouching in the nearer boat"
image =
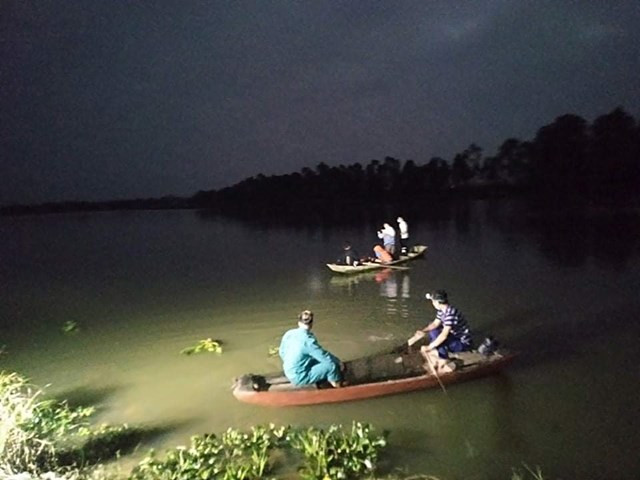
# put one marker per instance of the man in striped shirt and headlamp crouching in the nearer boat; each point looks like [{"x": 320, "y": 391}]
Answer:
[{"x": 448, "y": 333}]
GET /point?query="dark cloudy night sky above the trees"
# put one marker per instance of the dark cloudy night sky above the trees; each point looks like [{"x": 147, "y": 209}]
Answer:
[{"x": 106, "y": 99}]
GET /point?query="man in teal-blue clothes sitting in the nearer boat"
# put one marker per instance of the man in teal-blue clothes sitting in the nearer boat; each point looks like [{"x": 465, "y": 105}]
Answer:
[{"x": 304, "y": 361}]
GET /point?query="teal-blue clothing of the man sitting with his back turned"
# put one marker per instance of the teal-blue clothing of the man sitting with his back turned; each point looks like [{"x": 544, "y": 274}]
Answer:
[{"x": 299, "y": 351}]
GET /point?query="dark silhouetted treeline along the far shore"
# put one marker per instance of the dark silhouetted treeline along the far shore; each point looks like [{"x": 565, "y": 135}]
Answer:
[{"x": 568, "y": 158}]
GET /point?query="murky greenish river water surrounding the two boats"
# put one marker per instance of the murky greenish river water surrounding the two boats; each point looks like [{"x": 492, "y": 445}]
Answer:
[{"x": 142, "y": 286}]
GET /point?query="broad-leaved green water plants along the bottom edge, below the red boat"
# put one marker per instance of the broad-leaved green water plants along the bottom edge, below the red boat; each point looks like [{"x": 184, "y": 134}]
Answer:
[{"x": 333, "y": 453}]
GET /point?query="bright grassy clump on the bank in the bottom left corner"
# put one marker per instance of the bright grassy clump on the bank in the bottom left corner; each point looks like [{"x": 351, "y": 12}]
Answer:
[{"x": 41, "y": 436}]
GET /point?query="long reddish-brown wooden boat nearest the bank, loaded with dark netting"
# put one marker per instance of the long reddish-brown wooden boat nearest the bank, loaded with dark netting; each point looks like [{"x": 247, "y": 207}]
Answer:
[{"x": 397, "y": 371}]
